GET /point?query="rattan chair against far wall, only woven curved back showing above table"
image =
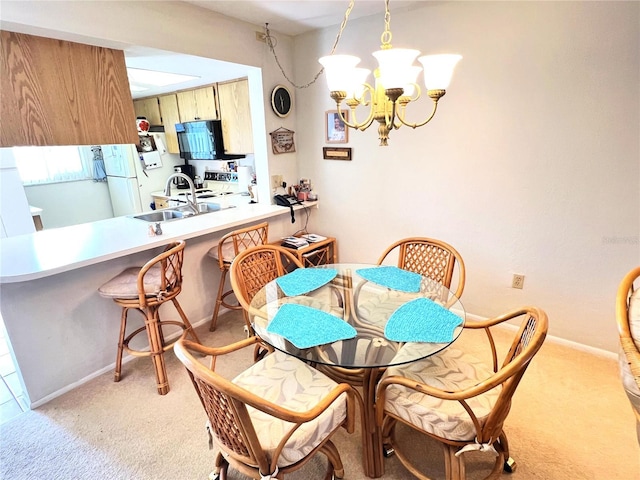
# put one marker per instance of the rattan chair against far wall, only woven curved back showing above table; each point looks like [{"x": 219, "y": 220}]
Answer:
[{"x": 429, "y": 257}]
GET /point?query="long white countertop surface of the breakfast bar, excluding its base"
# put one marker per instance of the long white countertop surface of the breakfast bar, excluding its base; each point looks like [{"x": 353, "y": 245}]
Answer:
[{"x": 49, "y": 252}]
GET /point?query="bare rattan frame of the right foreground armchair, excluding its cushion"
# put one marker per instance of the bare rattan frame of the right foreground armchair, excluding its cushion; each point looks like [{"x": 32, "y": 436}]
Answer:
[{"x": 526, "y": 344}]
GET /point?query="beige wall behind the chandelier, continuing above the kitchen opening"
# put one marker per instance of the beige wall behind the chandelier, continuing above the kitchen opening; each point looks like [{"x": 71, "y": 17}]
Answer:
[{"x": 531, "y": 165}]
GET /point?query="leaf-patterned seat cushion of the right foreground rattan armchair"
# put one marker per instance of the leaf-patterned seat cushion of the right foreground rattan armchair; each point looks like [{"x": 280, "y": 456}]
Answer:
[{"x": 451, "y": 369}]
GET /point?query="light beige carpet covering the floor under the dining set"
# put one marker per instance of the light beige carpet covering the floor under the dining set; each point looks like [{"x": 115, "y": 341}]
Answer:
[{"x": 570, "y": 419}]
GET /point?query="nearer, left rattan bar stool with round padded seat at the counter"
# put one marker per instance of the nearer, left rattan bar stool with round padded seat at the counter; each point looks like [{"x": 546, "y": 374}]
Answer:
[{"x": 145, "y": 289}]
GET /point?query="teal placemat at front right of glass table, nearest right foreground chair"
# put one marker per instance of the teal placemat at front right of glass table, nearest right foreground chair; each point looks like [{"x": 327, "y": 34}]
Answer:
[{"x": 422, "y": 320}]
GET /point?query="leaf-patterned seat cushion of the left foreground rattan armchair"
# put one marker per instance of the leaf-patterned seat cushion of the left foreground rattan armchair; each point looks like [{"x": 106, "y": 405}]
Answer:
[{"x": 286, "y": 381}]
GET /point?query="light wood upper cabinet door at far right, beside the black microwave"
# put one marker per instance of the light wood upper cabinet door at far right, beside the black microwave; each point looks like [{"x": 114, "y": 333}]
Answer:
[{"x": 235, "y": 112}]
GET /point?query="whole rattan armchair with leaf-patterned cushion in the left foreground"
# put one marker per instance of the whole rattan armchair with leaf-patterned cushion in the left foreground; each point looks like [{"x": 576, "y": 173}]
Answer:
[{"x": 272, "y": 418}]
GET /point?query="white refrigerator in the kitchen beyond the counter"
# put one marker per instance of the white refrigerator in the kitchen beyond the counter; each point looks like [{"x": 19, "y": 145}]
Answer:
[{"x": 131, "y": 178}]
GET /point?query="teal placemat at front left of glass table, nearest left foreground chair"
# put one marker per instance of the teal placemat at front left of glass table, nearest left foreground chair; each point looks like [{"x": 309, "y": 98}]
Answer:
[{"x": 307, "y": 327}]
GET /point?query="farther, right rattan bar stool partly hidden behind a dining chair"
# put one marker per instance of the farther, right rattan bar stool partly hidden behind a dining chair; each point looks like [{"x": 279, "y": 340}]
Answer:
[{"x": 225, "y": 251}]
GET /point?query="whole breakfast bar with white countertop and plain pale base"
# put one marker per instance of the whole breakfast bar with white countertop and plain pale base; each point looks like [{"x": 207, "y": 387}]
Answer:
[{"x": 62, "y": 332}]
